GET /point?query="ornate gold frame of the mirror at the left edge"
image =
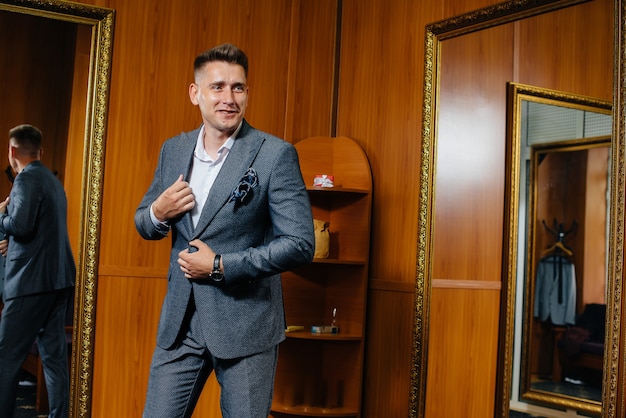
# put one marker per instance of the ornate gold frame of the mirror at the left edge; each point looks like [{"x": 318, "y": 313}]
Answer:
[{"x": 101, "y": 22}]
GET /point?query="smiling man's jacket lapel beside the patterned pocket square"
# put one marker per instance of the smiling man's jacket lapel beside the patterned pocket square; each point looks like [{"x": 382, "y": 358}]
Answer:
[{"x": 239, "y": 159}]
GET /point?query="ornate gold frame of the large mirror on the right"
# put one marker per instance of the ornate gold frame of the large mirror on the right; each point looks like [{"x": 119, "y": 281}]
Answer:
[{"x": 498, "y": 14}]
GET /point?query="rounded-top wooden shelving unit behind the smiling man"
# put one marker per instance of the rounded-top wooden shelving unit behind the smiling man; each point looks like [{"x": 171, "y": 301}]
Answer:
[{"x": 321, "y": 375}]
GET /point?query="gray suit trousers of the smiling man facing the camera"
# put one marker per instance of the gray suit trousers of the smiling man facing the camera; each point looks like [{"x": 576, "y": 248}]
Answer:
[{"x": 178, "y": 375}]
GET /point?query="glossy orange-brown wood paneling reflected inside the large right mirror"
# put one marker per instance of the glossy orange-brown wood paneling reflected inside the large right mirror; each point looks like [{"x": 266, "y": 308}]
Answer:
[{"x": 470, "y": 180}]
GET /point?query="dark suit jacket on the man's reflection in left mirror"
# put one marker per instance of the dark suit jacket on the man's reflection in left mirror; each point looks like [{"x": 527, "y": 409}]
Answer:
[{"x": 39, "y": 258}]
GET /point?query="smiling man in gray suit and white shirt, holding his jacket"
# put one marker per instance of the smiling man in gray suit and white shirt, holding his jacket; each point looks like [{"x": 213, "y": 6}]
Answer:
[{"x": 236, "y": 204}]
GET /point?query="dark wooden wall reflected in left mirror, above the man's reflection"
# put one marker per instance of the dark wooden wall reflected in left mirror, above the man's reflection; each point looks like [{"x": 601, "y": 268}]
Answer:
[{"x": 36, "y": 73}]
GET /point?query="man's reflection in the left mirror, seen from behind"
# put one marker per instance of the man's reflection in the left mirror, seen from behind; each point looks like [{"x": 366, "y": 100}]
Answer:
[{"x": 39, "y": 274}]
